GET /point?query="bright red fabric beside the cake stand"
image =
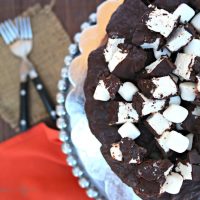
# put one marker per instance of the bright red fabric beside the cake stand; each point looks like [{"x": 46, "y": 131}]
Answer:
[{"x": 32, "y": 167}]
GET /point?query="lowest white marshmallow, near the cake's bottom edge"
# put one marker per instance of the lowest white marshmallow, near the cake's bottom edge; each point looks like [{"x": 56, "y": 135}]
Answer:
[{"x": 173, "y": 183}]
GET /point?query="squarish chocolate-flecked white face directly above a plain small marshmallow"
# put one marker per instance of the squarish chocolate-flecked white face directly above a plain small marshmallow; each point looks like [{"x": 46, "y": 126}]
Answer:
[{"x": 127, "y": 113}]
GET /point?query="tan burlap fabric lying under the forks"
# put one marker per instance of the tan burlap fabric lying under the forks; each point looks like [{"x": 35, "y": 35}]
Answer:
[{"x": 50, "y": 43}]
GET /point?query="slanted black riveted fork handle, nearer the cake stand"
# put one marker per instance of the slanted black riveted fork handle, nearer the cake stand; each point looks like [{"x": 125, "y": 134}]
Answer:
[{"x": 45, "y": 97}]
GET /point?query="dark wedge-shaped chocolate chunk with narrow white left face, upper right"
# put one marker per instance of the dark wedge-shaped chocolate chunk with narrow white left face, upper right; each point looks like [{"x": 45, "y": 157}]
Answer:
[{"x": 161, "y": 67}]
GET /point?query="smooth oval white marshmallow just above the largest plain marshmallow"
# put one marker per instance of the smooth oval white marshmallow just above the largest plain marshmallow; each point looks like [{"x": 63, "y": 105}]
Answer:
[{"x": 175, "y": 113}]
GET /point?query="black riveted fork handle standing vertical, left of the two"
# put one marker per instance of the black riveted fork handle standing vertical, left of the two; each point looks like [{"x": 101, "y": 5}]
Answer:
[{"x": 24, "y": 118}]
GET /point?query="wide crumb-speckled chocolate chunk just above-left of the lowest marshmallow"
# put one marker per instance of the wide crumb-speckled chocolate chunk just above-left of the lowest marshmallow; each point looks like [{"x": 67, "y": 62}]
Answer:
[{"x": 152, "y": 170}]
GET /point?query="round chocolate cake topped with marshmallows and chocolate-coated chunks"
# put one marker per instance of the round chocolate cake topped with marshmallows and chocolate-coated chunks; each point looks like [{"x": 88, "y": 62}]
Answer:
[{"x": 143, "y": 97}]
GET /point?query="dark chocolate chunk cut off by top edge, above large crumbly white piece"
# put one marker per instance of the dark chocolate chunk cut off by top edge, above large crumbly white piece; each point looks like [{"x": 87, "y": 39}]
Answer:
[{"x": 169, "y": 5}]
